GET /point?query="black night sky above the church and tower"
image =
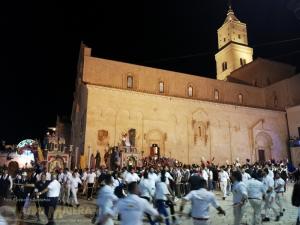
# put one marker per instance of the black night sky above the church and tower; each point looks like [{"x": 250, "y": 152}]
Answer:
[{"x": 40, "y": 44}]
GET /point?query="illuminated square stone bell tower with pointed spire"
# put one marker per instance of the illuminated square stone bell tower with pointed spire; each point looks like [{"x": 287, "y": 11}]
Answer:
[{"x": 233, "y": 46}]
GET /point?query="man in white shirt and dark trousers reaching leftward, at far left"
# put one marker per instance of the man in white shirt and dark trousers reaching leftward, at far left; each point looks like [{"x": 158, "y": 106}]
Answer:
[{"x": 52, "y": 190}]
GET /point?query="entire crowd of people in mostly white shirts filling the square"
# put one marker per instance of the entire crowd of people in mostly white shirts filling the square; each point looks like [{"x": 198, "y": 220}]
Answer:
[{"x": 155, "y": 189}]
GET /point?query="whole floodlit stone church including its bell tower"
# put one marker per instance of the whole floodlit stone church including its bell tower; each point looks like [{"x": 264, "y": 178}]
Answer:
[{"x": 241, "y": 114}]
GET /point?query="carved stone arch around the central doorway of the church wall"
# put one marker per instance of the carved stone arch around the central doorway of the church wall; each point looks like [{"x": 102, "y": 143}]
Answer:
[{"x": 155, "y": 136}]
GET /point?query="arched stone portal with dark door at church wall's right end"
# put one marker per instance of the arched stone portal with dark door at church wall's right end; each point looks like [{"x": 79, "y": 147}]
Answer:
[{"x": 263, "y": 146}]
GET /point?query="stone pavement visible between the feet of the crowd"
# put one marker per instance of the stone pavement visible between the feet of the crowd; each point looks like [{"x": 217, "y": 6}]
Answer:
[{"x": 82, "y": 215}]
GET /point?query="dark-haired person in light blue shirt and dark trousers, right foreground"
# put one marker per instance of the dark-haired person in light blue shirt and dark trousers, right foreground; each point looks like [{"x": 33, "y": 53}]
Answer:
[{"x": 240, "y": 195}]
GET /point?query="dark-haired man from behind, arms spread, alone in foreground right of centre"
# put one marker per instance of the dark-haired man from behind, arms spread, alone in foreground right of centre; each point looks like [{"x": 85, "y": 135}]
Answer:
[{"x": 201, "y": 199}]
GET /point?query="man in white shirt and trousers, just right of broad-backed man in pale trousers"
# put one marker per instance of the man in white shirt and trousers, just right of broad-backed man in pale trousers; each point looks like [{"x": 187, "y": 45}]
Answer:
[{"x": 270, "y": 196}]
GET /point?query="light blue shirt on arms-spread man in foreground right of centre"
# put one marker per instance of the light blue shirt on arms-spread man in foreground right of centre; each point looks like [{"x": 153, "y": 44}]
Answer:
[{"x": 201, "y": 199}]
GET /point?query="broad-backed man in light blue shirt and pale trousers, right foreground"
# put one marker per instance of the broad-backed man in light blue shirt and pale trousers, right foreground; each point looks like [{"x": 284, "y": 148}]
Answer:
[{"x": 256, "y": 193}]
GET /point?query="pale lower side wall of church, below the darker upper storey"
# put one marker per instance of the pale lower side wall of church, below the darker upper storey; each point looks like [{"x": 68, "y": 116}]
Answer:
[{"x": 185, "y": 129}]
